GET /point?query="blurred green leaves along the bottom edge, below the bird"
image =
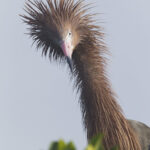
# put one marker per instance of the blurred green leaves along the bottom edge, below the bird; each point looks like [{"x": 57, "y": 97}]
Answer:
[{"x": 94, "y": 144}]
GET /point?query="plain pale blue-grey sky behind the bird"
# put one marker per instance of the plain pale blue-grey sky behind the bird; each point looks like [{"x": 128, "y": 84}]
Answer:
[{"x": 37, "y": 102}]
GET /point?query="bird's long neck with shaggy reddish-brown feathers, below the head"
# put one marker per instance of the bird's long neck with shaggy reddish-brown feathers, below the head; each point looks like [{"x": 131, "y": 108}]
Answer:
[{"x": 101, "y": 113}]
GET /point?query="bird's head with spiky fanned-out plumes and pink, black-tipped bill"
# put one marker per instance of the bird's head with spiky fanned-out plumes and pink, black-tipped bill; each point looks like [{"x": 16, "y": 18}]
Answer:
[{"x": 59, "y": 26}]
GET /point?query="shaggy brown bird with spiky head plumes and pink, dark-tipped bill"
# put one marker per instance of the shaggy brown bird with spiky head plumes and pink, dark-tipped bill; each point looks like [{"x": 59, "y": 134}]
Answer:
[{"x": 66, "y": 31}]
